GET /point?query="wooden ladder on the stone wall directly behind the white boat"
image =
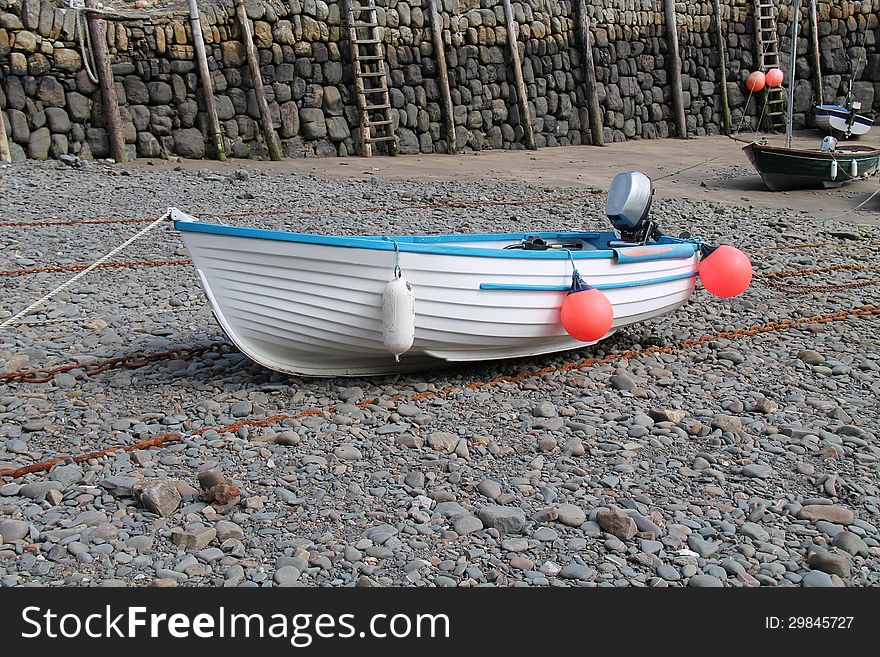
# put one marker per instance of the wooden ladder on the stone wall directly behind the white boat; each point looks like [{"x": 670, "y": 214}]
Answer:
[{"x": 371, "y": 82}]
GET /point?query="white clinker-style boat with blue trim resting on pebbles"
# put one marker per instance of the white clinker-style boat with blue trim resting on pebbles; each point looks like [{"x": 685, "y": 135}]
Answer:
[{"x": 313, "y": 304}]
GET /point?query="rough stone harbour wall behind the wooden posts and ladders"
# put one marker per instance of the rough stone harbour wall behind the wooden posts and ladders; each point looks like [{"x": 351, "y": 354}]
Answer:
[{"x": 51, "y": 105}]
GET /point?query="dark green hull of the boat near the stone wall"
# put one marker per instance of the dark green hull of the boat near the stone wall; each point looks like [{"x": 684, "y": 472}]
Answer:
[{"x": 790, "y": 168}]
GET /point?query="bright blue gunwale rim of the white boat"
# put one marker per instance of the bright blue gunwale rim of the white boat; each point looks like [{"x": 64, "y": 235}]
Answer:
[{"x": 436, "y": 244}]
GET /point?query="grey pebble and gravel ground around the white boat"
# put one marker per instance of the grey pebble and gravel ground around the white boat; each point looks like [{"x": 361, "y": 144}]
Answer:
[{"x": 749, "y": 462}]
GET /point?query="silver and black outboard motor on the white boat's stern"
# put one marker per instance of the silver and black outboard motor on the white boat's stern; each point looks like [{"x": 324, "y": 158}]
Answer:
[{"x": 628, "y": 205}]
